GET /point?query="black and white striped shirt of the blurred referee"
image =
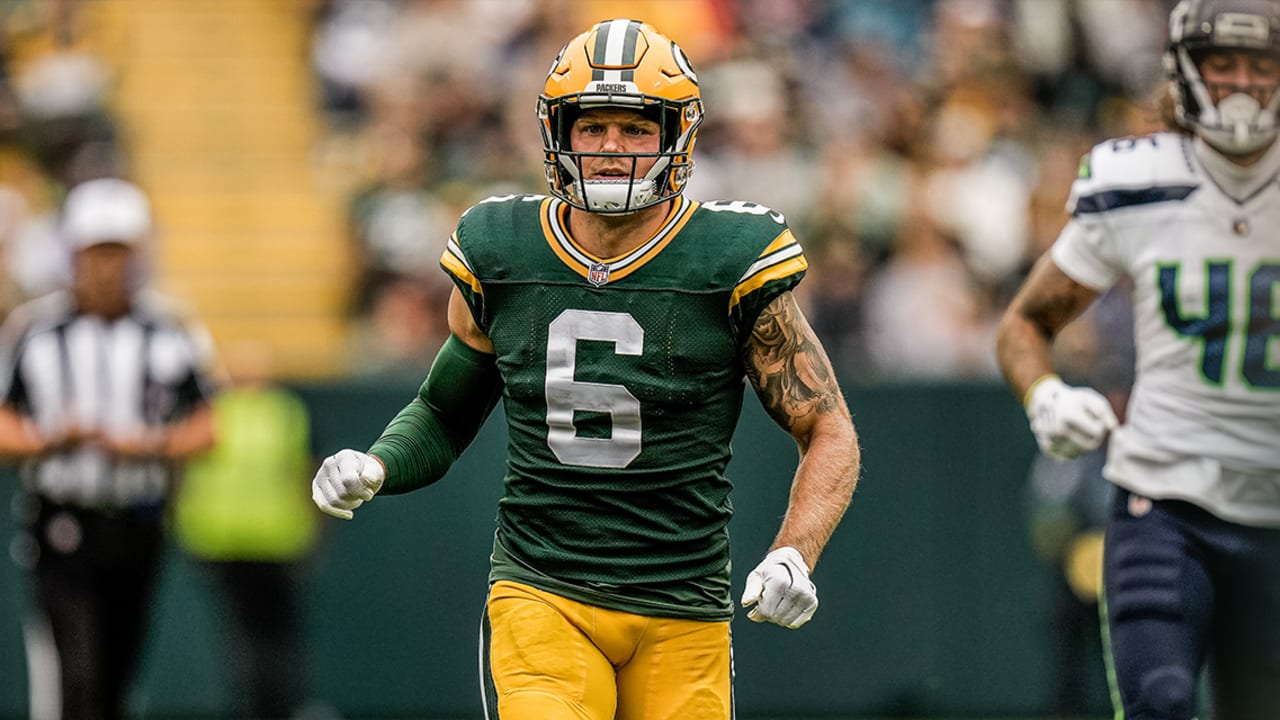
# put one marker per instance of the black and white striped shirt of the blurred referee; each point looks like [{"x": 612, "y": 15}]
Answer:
[{"x": 63, "y": 370}]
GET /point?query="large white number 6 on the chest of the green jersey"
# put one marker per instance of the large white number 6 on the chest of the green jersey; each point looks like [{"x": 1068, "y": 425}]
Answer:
[{"x": 566, "y": 395}]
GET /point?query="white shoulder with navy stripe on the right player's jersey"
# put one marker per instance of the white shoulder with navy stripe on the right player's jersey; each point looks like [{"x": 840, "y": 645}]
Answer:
[{"x": 1133, "y": 171}]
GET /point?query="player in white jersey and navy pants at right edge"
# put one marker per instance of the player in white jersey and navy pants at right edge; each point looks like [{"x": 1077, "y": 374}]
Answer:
[{"x": 1192, "y": 550}]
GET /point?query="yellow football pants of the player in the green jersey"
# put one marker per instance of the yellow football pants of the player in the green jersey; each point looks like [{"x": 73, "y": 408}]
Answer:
[{"x": 555, "y": 659}]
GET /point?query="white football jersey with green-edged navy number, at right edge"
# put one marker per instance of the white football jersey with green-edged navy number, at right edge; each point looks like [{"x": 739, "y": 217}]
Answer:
[{"x": 1204, "y": 421}]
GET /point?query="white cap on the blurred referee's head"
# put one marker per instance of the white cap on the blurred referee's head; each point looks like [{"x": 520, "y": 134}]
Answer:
[{"x": 106, "y": 211}]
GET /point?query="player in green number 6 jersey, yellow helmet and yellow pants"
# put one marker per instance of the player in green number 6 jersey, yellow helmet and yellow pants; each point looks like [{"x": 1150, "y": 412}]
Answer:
[{"x": 618, "y": 320}]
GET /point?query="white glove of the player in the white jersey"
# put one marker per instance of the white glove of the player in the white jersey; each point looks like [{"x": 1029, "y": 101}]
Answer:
[{"x": 1068, "y": 421}]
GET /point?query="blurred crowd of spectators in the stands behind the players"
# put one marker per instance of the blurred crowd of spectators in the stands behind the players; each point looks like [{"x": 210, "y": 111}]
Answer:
[{"x": 922, "y": 149}]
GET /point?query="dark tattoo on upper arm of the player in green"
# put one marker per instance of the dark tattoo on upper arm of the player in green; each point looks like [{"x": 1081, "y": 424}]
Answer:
[{"x": 789, "y": 367}]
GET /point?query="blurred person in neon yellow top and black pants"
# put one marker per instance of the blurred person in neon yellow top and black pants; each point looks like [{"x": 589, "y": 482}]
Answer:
[{"x": 245, "y": 514}]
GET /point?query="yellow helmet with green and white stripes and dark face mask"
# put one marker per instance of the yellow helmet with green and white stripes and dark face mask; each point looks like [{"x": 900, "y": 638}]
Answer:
[{"x": 628, "y": 65}]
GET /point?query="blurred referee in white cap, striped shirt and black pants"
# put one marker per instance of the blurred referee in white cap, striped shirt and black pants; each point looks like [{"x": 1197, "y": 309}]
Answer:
[{"x": 104, "y": 388}]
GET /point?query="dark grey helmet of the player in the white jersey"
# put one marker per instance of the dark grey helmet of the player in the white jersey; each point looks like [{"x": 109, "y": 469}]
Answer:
[{"x": 1238, "y": 125}]
